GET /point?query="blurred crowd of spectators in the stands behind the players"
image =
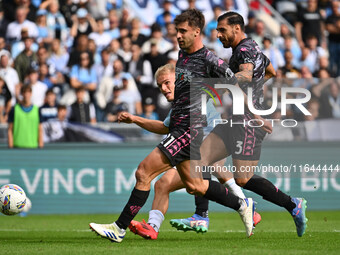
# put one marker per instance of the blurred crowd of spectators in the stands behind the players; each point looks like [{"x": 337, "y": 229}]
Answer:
[{"x": 90, "y": 59}]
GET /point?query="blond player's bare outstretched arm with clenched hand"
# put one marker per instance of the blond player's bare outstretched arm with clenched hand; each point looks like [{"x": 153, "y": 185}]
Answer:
[{"x": 154, "y": 126}]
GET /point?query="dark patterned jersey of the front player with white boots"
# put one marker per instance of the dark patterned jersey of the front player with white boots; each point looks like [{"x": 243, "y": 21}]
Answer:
[{"x": 190, "y": 68}]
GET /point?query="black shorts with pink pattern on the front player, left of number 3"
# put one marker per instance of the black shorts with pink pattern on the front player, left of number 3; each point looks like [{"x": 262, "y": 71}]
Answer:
[{"x": 182, "y": 144}]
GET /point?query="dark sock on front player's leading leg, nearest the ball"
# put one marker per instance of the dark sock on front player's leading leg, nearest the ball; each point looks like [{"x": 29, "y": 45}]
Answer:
[{"x": 135, "y": 203}]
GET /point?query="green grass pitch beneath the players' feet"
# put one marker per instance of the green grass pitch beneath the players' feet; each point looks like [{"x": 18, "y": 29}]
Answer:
[{"x": 41, "y": 234}]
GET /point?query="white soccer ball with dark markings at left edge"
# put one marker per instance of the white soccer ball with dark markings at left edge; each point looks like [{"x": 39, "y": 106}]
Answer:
[{"x": 12, "y": 199}]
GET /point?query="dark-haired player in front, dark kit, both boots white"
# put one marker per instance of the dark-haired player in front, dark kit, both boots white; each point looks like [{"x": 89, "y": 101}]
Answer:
[{"x": 182, "y": 145}]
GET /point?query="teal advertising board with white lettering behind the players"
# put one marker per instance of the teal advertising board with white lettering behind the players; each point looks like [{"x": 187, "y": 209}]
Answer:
[{"x": 98, "y": 178}]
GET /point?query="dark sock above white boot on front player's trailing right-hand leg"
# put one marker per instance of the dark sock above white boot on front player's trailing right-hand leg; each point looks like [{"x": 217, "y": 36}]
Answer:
[{"x": 220, "y": 194}]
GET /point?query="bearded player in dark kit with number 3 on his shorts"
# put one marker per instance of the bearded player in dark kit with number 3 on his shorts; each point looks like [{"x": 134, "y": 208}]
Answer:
[{"x": 252, "y": 69}]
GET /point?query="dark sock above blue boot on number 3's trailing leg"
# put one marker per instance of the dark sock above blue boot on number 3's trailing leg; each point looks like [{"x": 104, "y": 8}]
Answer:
[{"x": 268, "y": 191}]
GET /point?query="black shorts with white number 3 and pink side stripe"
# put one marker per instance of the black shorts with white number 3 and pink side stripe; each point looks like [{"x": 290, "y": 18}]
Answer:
[{"x": 241, "y": 142}]
